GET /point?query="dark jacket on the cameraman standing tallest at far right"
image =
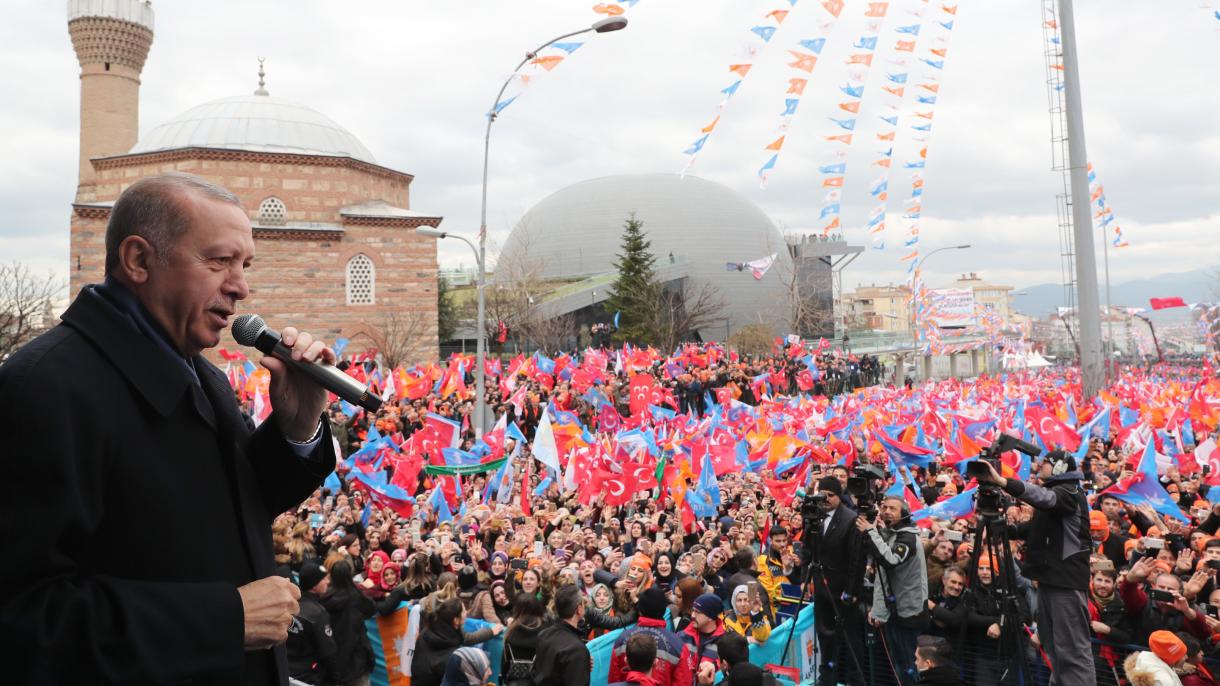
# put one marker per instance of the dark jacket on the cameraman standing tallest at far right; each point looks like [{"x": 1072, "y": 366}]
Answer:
[{"x": 1057, "y": 540}]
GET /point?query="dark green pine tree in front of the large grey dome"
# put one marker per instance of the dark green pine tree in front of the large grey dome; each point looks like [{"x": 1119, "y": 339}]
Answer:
[{"x": 634, "y": 291}]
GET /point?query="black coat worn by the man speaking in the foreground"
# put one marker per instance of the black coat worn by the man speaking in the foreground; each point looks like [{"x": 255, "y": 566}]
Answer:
[{"x": 137, "y": 502}]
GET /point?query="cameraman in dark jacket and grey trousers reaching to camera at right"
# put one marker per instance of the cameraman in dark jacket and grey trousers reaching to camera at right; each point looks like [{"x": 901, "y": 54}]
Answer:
[{"x": 1057, "y": 557}]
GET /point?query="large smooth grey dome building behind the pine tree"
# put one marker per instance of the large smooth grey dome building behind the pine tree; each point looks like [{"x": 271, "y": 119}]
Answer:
[{"x": 576, "y": 233}]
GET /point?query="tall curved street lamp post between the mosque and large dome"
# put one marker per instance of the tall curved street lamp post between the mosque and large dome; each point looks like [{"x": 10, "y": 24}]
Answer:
[{"x": 602, "y": 26}]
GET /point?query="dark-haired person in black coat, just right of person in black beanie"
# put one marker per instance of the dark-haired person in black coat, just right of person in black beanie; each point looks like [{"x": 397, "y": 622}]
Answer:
[{"x": 350, "y": 610}]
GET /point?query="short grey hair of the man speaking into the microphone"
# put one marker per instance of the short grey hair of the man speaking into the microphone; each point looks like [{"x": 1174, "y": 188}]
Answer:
[{"x": 152, "y": 209}]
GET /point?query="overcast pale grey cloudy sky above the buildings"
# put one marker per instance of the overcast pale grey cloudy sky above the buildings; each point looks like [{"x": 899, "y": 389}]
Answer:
[{"x": 413, "y": 80}]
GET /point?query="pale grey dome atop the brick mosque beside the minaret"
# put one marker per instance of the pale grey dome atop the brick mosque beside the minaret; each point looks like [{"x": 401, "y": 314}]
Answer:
[{"x": 260, "y": 124}]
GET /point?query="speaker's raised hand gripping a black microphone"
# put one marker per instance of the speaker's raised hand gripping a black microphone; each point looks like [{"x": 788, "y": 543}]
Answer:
[{"x": 300, "y": 396}]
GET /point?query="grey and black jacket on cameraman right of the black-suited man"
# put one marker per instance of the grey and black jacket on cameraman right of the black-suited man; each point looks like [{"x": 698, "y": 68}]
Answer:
[{"x": 900, "y": 557}]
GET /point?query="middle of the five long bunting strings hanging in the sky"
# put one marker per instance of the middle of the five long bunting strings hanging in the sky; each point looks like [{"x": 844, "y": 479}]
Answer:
[{"x": 858, "y": 76}]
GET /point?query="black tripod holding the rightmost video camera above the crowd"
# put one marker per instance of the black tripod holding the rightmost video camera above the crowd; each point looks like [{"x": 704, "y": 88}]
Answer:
[{"x": 994, "y": 536}]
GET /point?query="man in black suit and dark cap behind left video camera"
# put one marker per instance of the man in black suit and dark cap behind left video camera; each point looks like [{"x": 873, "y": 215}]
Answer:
[{"x": 836, "y": 619}]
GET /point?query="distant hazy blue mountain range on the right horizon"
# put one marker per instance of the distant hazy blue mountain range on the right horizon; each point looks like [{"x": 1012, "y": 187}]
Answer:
[{"x": 1193, "y": 286}]
